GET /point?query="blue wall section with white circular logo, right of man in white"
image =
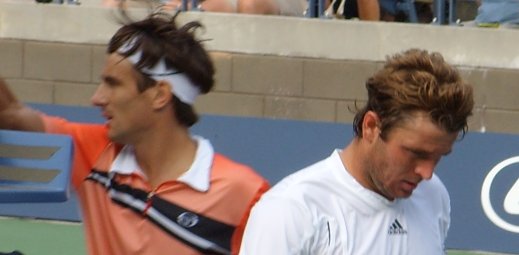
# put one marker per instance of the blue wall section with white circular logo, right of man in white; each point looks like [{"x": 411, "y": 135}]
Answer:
[{"x": 464, "y": 174}]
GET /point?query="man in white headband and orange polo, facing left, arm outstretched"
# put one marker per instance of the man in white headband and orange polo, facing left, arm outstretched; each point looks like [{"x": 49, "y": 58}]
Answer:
[{"x": 145, "y": 184}]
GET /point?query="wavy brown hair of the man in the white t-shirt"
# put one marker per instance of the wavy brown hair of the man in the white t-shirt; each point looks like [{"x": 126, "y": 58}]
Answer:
[{"x": 416, "y": 80}]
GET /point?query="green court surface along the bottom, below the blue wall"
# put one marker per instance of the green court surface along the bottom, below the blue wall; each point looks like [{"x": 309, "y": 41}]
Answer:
[{"x": 39, "y": 237}]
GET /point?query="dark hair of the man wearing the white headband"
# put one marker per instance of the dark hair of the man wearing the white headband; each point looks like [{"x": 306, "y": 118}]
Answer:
[{"x": 158, "y": 37}]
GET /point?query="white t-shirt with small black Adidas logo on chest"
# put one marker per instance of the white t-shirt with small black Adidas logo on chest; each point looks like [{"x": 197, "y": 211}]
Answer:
[{"x": 322, "y": 210}]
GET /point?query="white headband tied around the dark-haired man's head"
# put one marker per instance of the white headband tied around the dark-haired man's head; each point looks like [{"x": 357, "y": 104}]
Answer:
[{"x": 180, "y": 84}]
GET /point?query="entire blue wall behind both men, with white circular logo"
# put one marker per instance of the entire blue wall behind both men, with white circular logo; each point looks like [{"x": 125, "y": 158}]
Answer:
[{"x": 276, "y": 148}]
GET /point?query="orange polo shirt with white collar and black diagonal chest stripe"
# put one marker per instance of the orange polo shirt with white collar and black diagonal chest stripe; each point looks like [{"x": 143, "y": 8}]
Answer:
[{"x": 202, "y": 212}]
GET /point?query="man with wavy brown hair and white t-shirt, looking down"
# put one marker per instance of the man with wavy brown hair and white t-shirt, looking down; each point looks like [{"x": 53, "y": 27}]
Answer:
[{"x": 378, "y": 195}]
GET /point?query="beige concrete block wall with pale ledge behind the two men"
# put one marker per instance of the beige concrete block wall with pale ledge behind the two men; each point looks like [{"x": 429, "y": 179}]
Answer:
[{"x": 272, "y": 67}]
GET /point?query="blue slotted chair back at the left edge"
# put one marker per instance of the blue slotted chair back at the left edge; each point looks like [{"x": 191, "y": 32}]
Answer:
[{"x": 34, "y": 167}]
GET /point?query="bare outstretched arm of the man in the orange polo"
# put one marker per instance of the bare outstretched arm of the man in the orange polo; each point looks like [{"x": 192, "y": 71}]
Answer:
[{"x": 15, "y": 115}]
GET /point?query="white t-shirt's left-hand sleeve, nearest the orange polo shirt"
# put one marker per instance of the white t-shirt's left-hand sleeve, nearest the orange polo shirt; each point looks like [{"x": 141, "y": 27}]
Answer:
[{"x": 278, "y": 226}]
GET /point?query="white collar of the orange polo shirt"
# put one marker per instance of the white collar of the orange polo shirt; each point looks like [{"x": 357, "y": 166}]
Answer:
[{"x": 197, "y": 176}]
